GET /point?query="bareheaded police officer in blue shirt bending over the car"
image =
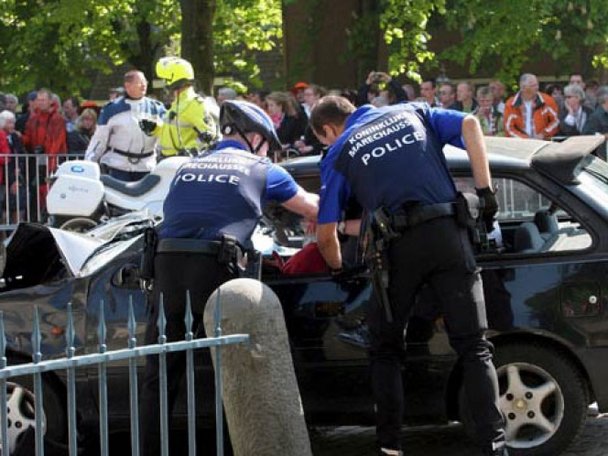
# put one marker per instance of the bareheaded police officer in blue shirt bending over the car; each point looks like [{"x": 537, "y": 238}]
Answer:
[{"x": 390, "y": 159}]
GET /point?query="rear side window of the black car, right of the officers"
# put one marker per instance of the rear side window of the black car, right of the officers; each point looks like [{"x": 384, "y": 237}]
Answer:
[{"x": 528, "y": 222}]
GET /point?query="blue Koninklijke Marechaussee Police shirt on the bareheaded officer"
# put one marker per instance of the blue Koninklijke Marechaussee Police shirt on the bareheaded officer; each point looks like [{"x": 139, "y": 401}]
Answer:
[{"x": 389, "y": 156}]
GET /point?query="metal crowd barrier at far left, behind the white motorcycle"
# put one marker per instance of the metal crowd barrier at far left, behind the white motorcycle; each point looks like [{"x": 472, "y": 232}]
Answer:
[{"x": 24, "y": 185}]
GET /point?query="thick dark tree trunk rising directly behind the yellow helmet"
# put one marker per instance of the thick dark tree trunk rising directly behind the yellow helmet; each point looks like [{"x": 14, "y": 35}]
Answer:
[{"x": 197, "y": 40}]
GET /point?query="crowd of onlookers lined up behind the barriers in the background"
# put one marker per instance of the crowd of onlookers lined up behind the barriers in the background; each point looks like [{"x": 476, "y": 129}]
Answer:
[{"x": 47, "y": 127}]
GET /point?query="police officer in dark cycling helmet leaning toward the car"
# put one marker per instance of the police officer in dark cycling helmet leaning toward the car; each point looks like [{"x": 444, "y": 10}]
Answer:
[{"x": 212, "y": 208}]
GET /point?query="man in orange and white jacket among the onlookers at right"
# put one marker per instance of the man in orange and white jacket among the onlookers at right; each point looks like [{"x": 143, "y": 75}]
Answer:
[{"x": 531, "y": 113}]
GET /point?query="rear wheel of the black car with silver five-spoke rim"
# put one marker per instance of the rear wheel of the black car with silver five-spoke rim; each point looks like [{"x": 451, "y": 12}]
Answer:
[{"x": 543, "y": 397}]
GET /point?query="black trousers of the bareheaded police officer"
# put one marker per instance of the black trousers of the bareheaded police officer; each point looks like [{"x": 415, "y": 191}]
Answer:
[{"x": 439, "y": 254}]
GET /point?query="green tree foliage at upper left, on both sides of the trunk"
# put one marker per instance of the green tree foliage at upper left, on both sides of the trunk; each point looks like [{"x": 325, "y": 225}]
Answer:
[{"x": 62, "y": 43}]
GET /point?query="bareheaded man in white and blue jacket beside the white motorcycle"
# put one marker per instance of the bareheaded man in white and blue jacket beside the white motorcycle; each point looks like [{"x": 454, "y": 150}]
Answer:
[{"x": 118, "y": 144}]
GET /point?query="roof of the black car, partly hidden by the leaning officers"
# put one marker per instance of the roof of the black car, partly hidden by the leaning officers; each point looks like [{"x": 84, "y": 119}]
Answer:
[{"x": 557, "y": 160}]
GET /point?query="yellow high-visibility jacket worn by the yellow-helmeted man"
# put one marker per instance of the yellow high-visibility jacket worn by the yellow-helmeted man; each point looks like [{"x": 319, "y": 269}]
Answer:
[{"x": 183, "y": 123}]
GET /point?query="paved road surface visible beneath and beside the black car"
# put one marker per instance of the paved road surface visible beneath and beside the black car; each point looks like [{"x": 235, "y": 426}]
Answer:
[{"x": 442, "y": 440}]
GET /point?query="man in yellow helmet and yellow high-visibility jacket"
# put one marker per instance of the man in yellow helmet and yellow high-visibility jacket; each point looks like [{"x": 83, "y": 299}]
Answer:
[{"x": 187, "y": 126}]
